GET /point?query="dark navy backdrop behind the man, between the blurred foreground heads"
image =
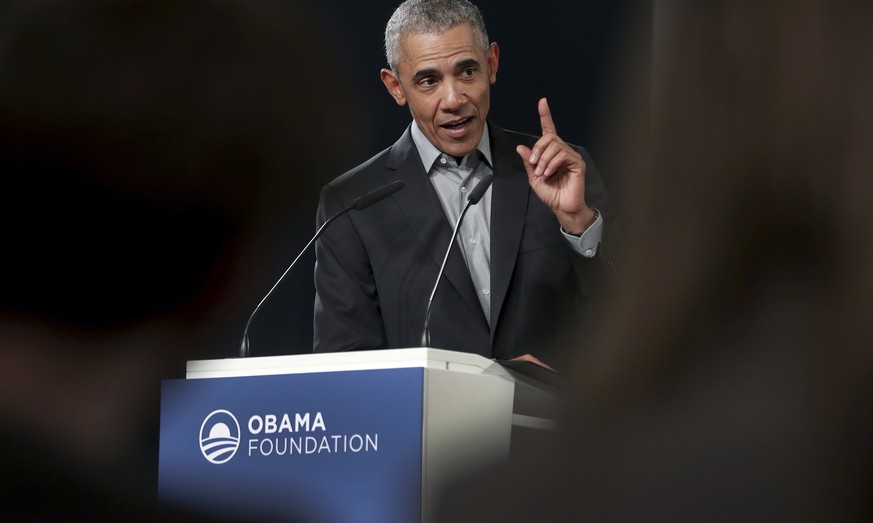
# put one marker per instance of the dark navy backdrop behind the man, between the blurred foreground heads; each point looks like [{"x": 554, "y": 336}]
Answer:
[{"x": 573, "y": 53}]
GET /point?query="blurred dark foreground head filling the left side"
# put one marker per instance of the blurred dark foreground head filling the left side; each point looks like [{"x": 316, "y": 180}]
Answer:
[{"x": 147, "y": 149}]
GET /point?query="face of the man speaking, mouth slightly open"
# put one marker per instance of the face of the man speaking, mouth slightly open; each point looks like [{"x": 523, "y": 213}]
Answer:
[{"x": 446, "y": 80}]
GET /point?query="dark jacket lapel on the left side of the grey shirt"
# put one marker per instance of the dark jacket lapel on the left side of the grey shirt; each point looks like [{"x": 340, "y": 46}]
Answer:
[{"x": 425, "y": 214}]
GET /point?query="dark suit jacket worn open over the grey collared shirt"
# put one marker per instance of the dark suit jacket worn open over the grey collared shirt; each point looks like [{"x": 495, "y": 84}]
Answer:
[{"x": 375, "y": 268}]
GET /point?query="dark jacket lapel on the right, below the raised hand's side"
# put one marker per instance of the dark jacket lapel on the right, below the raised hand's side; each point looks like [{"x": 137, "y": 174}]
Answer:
[{"x": 510, "y": 191}]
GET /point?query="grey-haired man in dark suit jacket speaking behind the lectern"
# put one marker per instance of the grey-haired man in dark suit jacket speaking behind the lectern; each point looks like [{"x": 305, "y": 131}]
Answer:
[{"x": 519, "y": 281}]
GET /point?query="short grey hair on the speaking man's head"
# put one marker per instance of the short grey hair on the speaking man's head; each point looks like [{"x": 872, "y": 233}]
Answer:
[{"x": 430, "y": 16}]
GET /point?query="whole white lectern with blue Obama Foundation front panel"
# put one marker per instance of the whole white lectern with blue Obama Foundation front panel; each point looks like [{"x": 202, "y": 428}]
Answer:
[{"x": 357, "y": 436}]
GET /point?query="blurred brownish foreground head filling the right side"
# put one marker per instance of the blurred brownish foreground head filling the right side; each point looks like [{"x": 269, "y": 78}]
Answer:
[{"x": 733, "y": 378}]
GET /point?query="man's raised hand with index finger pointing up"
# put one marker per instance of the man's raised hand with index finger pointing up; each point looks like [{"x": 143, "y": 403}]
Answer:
[{"x": 556, "y": 172}]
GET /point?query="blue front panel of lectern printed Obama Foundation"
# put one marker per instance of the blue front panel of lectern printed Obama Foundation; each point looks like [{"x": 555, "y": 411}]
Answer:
[{"x": 338, "y": 446}]
